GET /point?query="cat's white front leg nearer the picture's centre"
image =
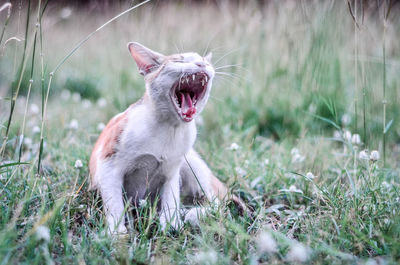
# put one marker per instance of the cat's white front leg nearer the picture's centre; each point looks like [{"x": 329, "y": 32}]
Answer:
[{"x": 170, "y": 202}]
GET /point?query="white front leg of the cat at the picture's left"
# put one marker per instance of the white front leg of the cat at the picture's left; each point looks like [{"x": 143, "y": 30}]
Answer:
[{"x": 110, "y": 186}]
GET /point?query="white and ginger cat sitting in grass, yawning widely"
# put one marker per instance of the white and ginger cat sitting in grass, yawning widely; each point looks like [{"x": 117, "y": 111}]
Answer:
[{"x": 147, "y": 150}]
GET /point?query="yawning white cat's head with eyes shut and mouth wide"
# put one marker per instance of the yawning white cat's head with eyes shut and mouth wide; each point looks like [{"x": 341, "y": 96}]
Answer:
[{"x": 178, "y": 85}]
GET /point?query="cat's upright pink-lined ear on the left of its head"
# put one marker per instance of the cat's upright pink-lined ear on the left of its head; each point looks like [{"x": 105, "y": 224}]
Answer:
[{"x": 146, "y": 59}]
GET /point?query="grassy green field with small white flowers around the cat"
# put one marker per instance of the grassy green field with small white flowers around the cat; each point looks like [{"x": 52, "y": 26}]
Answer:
[{"x": 302, "y": 123}]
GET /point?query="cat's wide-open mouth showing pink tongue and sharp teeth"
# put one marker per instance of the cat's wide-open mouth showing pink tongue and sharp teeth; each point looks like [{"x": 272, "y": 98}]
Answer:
[{"x": 187, "y": 92}]
